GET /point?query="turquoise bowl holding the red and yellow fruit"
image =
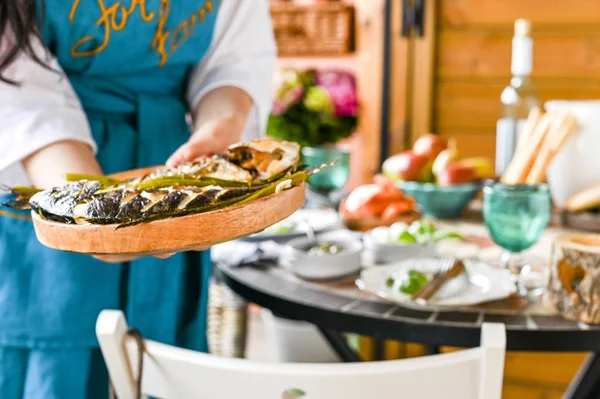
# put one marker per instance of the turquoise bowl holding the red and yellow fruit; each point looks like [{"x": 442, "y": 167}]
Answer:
[{"x": 441, "y": 202}]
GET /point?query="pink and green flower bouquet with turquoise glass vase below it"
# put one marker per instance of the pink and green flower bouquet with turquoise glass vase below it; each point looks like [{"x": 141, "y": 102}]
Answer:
[{"x": 317, "y": 109}]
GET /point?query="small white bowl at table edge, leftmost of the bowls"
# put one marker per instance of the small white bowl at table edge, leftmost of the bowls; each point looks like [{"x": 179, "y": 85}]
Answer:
[{"x": 322, "y": 267}]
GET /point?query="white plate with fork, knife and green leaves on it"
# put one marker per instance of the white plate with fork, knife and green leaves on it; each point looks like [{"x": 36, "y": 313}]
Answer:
[{"x": 485, "y": 283}]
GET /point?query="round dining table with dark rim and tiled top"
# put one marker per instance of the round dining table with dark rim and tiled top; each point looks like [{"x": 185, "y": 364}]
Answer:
[{"x": 339, "y": 307}]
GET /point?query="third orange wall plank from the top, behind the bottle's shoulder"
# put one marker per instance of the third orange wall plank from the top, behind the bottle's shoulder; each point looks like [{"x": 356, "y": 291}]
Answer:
[{"x": 474, "y": 106}]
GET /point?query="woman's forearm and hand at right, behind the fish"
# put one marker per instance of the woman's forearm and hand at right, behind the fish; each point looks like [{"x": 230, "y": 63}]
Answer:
[{"x": 220, "y": 118}]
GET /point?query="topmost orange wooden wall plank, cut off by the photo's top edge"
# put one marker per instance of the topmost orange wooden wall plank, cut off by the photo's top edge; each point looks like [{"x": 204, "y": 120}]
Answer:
[{"x": 494, "y": 13}]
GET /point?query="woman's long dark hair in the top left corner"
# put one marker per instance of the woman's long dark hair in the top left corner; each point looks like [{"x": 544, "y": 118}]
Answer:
[{"x": 21, "y": 19}]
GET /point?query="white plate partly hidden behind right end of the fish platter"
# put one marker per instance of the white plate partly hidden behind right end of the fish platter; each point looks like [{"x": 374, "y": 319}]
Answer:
[{"x": 319, "y": 220}]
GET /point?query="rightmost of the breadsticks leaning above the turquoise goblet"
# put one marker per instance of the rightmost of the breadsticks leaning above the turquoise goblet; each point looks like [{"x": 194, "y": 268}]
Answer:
[{"x": 563, "y": 128}]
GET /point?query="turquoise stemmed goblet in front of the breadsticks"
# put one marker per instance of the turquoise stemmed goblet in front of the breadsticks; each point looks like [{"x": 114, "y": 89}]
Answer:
[{"x": 516, "y": 216}]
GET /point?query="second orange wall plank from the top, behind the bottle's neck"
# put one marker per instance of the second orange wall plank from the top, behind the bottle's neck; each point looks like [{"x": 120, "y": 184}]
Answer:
[{"x": 487, "y": 54}]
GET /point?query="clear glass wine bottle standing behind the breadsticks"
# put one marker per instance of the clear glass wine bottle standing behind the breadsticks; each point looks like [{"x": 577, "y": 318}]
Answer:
[{"x": 517, "y": 98}]
